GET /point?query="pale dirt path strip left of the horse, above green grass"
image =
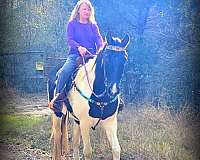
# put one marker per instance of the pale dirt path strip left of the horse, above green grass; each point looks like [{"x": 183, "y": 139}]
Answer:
[{"x": 15, "y": 103}]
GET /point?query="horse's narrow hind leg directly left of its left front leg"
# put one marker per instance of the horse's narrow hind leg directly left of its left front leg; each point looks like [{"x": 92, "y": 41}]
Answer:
[{"x": 76, "y": 141}]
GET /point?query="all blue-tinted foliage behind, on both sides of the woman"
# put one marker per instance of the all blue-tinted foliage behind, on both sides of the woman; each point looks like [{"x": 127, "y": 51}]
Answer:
[{"x": 163, "y": 52}]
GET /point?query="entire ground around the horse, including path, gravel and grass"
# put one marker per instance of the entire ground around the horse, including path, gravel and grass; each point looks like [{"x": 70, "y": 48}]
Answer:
[{"x": 144, "y": 132}]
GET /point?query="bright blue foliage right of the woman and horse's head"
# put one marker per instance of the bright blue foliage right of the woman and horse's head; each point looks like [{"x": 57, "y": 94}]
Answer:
[{"x": 163, "y": 51}]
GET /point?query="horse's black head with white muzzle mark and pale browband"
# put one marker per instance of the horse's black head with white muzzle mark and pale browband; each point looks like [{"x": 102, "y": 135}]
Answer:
[{"x": 114, "y": 58}]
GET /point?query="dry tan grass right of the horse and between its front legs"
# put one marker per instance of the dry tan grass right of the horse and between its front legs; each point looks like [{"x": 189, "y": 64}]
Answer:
[{"x": 149, "y": 133}]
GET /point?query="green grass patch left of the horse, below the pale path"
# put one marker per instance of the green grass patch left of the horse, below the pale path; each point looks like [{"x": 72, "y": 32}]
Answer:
[{"x": 33, "y": 131}]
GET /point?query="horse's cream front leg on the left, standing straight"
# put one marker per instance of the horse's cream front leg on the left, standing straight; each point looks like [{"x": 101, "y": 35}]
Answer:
[{"x": 87, "y": 149}]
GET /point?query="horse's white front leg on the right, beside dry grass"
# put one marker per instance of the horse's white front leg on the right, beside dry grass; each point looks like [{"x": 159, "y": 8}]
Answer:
[{"x": 110, "y": 127}]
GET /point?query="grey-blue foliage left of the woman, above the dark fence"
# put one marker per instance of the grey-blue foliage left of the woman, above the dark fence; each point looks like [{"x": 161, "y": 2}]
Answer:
[{"x": 34, "y": 25}]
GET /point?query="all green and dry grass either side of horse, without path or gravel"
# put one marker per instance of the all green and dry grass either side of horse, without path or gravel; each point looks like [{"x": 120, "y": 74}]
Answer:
[{"x": 144, "y": 133}]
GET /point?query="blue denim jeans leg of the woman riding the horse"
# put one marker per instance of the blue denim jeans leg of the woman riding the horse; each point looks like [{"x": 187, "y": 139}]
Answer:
[{"x": 64, "y": 73}]
